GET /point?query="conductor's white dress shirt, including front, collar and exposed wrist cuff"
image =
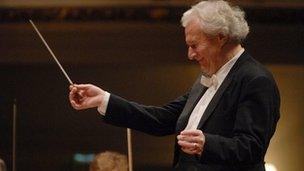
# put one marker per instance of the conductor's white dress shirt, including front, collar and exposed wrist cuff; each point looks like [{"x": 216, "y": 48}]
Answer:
[{"x": 201, "y": 106}]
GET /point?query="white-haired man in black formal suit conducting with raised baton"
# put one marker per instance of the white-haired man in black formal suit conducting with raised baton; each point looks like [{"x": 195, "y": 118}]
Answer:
[{"x": 226, "y": 120}]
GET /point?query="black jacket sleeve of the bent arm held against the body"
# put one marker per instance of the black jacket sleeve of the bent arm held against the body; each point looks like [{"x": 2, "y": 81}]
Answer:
[{"x": 255, "y": 122}]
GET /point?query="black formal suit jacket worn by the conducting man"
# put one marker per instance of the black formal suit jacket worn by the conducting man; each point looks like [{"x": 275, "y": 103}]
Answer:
[{"x": 238, "y": 122}]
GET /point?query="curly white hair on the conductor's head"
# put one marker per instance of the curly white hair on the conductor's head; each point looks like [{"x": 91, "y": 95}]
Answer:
[{"x": 218, "y": 17}]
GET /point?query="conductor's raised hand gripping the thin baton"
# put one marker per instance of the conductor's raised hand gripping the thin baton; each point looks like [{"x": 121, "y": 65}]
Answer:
[{"x": 84, "y": 96}]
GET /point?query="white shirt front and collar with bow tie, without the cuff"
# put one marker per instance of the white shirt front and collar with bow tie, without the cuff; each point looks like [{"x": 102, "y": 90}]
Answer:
[{"x": 201, "y": 106}]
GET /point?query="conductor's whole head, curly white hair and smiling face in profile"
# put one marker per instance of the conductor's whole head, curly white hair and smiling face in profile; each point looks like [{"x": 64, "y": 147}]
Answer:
[{"x": 212, "y": 30}]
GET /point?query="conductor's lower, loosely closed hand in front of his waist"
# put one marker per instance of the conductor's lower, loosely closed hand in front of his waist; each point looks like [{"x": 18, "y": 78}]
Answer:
[{"x": 191, "y": 141}]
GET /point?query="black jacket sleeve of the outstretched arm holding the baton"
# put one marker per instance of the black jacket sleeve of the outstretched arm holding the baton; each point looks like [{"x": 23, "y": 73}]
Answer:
[{"x": 149, "y": 119}]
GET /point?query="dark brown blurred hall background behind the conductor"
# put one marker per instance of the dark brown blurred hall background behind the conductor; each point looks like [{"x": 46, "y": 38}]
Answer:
[{"x": 134, "y": 49}]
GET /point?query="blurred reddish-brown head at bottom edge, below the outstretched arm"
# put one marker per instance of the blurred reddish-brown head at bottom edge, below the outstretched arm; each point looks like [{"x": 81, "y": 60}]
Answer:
[{"x": 109, "y": 161}]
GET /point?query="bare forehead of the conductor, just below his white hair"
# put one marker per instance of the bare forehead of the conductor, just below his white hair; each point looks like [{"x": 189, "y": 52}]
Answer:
[{"x": 193, "y": 31}]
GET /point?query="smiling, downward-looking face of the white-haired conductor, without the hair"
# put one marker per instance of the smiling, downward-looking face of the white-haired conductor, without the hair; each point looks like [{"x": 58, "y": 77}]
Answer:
[{"x": 202, "y": 48}]
